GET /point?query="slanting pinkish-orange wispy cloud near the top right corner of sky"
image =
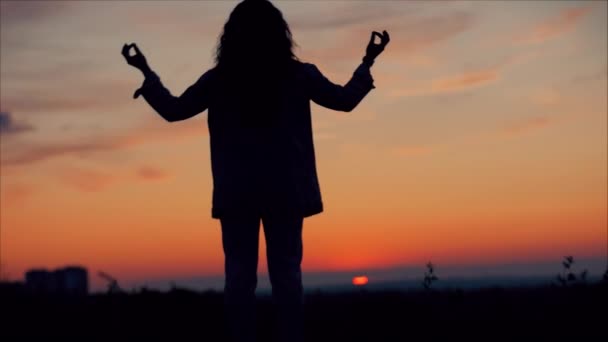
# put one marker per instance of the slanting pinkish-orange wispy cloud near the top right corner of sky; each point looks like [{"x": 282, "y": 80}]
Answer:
[{"x": 565, "y": 21}]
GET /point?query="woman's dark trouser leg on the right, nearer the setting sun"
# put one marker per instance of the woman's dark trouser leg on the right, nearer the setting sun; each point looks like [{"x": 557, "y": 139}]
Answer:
[{"x": 284, "y": 253}]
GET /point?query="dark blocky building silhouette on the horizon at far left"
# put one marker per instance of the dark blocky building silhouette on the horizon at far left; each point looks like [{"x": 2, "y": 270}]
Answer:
[{"x": 71, "y": 280}]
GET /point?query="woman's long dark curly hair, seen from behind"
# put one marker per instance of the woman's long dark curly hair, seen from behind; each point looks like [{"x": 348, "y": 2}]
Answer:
[{"x": 254, "y": 58}]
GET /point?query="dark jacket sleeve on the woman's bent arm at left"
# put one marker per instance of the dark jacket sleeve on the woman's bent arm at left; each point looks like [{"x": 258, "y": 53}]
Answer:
[{"x": 192, "y": 102}]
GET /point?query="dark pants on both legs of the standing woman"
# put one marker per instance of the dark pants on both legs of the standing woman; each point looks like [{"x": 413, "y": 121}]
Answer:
[{"x": 284, "y": 253}]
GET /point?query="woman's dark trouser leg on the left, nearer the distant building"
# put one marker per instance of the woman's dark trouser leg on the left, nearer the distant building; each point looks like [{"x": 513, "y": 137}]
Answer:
[{"x": 240, "y": 241}]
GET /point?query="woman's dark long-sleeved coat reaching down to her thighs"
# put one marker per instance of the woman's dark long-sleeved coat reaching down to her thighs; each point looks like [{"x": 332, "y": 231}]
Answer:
[{"x": 256, "y": 169}]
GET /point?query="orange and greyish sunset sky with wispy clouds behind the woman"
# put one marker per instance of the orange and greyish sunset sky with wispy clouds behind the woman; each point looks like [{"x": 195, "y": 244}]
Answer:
[{"x": 484, "y": 142}]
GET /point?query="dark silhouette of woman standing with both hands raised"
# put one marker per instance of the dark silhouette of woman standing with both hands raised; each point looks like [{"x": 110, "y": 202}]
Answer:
[{"x": 262, "y": 154}]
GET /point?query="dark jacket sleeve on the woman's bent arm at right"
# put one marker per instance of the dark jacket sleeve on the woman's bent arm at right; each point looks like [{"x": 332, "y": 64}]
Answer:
[{"x": 342, "y": 98}]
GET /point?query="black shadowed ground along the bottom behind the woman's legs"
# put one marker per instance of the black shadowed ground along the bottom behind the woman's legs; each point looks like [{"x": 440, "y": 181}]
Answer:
[{"x": 540, "y": 314}]
